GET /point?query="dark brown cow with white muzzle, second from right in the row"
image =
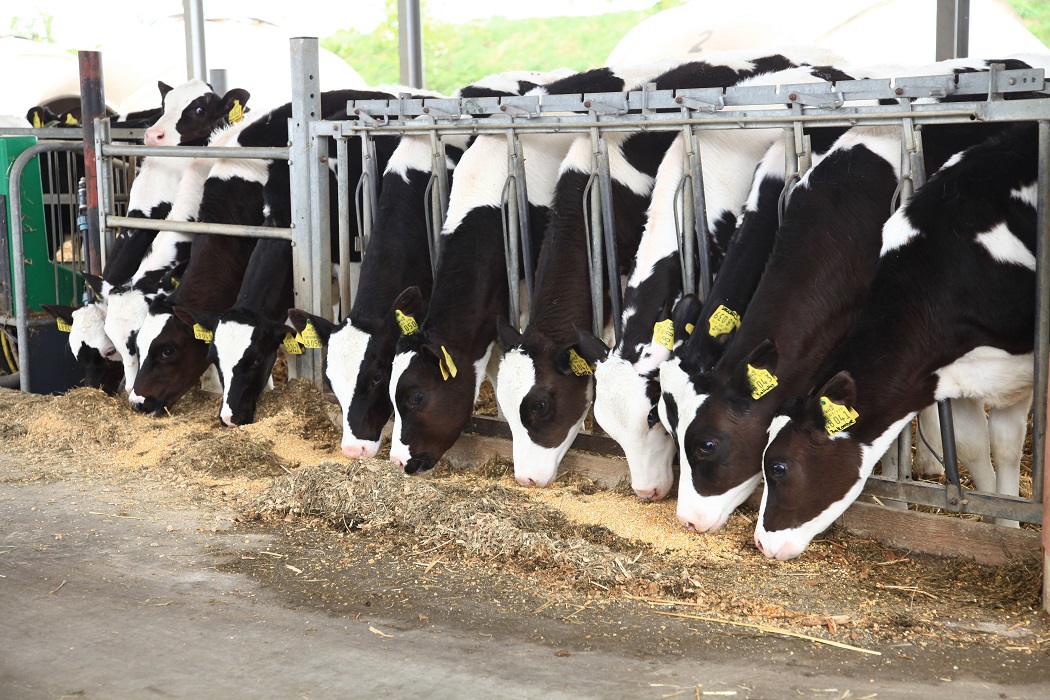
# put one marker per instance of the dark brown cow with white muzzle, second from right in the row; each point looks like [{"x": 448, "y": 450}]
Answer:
[{"x": 807, "y": 302}]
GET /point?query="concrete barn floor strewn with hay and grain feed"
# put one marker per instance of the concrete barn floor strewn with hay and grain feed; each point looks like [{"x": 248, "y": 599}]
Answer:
[{"x": 143, "y": 557}]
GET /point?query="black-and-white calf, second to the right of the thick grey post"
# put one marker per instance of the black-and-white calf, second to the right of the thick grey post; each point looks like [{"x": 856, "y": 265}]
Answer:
[{"x": 438, "y": 370}]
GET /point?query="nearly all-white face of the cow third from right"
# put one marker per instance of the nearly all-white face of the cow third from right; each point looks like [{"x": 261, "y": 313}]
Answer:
[{"x": 622, "y": 409}]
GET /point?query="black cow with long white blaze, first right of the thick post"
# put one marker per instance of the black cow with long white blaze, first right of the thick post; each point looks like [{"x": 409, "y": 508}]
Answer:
[{"x": 361, "y": 350}]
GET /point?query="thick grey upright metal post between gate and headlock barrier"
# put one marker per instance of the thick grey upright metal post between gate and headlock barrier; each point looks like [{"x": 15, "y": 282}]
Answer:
[{"x": 303, "y": 166}]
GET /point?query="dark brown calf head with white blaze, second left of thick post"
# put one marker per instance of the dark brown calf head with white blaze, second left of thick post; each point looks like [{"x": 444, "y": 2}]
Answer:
[{"x": 173, "y": 358}]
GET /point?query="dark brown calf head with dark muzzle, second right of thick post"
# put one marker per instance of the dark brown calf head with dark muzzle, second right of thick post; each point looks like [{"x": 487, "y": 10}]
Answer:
[{"x": 434, "y": 388}]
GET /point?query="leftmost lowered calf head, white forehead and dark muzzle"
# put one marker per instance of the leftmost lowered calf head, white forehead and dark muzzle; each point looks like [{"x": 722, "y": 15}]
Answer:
[{"x": 95, "y": 352}]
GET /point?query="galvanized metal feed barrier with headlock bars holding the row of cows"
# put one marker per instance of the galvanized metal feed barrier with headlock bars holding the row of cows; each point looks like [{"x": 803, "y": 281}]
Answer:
[{"x": 686, "y": 112}]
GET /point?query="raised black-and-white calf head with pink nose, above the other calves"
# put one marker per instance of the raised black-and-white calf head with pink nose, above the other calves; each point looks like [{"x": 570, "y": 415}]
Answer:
[{"x": 193, "y": 112}]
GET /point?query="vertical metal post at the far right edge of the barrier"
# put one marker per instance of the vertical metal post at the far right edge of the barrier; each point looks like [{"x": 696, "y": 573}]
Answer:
[{"x": 1041, "y": 485}]
